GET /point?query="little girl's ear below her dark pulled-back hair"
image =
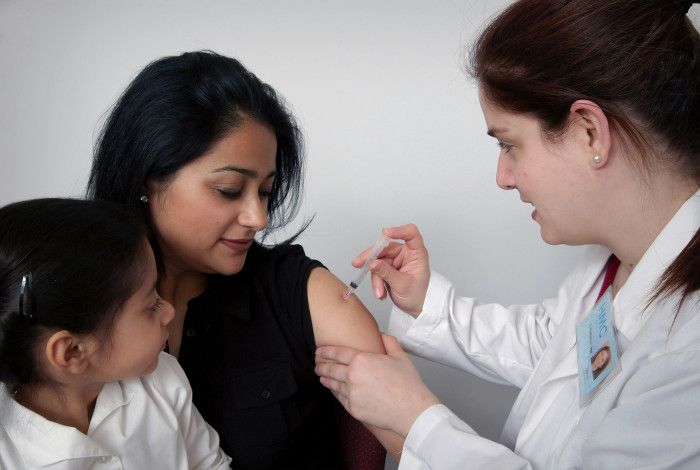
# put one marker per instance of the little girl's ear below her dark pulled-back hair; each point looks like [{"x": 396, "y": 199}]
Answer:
[{"x": 69, "y": 353}]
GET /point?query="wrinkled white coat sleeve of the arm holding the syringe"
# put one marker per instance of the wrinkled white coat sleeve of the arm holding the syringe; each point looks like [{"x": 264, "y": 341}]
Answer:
[{"x": 497, "y": 343}]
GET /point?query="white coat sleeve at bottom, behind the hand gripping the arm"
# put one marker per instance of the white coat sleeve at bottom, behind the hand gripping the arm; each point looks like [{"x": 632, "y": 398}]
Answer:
[{"x": 440, "y": 440}]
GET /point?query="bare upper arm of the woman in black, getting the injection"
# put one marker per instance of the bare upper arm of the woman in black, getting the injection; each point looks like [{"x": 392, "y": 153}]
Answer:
[{"x": 337, "y": 321}]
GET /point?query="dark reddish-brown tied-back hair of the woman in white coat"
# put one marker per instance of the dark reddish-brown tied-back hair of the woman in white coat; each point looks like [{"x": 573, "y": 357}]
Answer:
[{"x": 639, "y": 60}]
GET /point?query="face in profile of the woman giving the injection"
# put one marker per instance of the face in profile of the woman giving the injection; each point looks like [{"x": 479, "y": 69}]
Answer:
[{"x": 552, "y": 177}]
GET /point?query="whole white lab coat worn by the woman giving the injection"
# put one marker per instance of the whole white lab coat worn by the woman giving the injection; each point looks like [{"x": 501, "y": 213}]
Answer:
[{"x": 646, "y": 416}]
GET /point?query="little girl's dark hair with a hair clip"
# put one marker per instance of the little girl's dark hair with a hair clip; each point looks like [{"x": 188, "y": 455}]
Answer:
[{"x": 86, "y": 258}]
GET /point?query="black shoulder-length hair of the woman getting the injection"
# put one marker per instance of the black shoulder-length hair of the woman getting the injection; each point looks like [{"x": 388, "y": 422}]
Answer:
[{"x": 172, "y": 113}]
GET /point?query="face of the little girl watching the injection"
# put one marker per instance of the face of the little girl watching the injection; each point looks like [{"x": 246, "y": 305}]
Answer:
[{"x": 139, "y": 332}]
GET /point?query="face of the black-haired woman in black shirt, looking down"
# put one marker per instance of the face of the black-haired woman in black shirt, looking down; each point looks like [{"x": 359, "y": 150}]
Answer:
[{"x": 207, "y": 215}]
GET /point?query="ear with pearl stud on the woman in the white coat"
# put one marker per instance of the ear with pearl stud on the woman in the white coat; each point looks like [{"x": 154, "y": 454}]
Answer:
[{"x": 591, "y": 129}]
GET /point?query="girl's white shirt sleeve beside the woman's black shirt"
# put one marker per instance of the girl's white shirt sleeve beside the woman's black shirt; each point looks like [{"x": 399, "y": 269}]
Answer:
[{"x": 201, "y": 440}]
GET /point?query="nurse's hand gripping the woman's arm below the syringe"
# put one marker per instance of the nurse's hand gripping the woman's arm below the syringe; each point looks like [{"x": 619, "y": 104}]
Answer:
[{"x": 380, "y": 390}]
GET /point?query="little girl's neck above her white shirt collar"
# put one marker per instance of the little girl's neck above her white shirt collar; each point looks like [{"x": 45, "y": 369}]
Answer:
[{"x": 68, "y": 405}]
